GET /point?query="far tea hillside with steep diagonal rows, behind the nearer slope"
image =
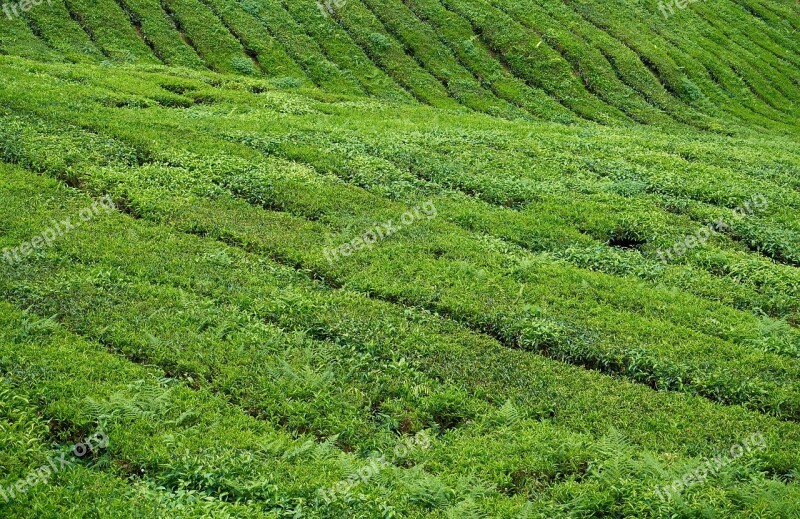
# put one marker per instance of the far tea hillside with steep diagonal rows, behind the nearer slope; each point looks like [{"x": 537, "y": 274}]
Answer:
[{"x": 712, "y": 66}]
